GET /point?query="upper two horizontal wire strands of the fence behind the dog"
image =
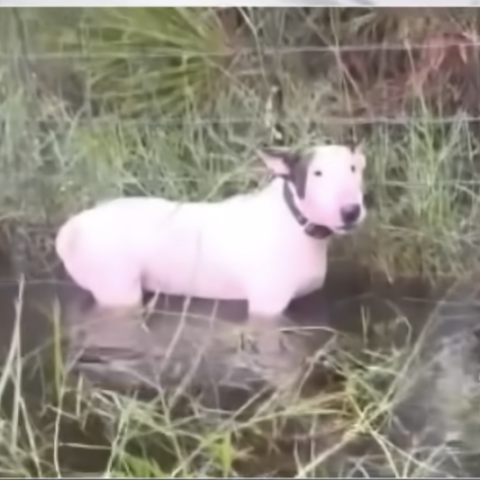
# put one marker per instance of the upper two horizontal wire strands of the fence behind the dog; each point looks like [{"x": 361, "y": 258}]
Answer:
[{"x": 260, "y": 52}]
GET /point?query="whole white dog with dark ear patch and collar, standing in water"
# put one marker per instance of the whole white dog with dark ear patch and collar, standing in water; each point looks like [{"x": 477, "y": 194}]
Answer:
[{"x": 266, "y": 247}]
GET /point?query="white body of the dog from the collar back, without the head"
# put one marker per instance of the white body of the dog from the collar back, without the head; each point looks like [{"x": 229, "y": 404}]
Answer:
[{"x": 226, "y": 250}]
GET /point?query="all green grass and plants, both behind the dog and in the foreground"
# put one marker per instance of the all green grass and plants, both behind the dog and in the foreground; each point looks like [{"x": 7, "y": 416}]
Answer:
[{"x": 105, "y": 102}]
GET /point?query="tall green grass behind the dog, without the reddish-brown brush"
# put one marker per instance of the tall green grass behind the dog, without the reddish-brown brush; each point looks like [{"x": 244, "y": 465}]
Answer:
[{"x": 422, "y": 173}]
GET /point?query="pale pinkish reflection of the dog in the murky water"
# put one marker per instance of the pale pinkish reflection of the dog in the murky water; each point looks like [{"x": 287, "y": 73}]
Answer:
[{"x": 196, "y": 344}]
